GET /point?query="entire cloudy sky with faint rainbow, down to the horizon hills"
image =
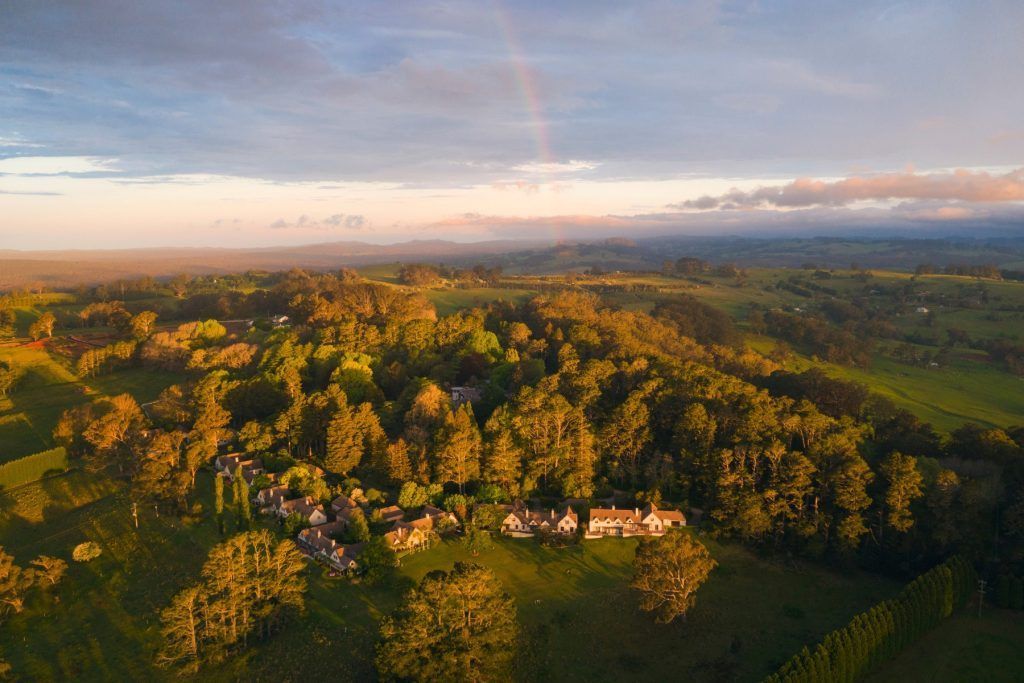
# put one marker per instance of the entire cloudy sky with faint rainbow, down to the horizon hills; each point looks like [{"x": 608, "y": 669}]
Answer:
[{"x": 140, "y": 123}]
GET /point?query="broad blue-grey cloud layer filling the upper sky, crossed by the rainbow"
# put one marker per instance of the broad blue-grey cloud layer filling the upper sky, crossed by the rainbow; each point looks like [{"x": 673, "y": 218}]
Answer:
[{"x": 413, "y": 93}]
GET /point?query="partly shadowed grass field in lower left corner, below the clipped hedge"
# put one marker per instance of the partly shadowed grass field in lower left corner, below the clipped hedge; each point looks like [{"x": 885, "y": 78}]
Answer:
[{"x": 104, "y": 627}]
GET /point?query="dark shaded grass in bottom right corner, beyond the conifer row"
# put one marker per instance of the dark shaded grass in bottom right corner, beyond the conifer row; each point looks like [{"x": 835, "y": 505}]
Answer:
[{"x": 964, "y": 649}]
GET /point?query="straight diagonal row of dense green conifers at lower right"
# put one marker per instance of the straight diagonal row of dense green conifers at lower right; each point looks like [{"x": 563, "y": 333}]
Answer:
[{"x": 875, "y": 636}]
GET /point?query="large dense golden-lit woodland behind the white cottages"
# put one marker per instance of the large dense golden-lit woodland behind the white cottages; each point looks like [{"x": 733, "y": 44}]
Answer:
[{"x": 577, "y": 399}]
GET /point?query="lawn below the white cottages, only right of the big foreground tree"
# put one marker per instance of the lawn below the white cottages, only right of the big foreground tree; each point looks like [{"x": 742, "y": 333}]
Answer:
[{"x": 583, "y": 623}]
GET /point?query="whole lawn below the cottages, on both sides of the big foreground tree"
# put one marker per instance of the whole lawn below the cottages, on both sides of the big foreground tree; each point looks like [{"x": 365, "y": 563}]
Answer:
[{"x": 581, "y": 620}]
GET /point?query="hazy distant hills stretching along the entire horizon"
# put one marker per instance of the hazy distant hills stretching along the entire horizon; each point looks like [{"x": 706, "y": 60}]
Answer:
[{"x": 64, "y": 269}]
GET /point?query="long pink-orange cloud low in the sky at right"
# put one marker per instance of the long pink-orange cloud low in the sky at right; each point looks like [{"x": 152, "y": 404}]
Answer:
[{"x": 960, "y": 186}]
